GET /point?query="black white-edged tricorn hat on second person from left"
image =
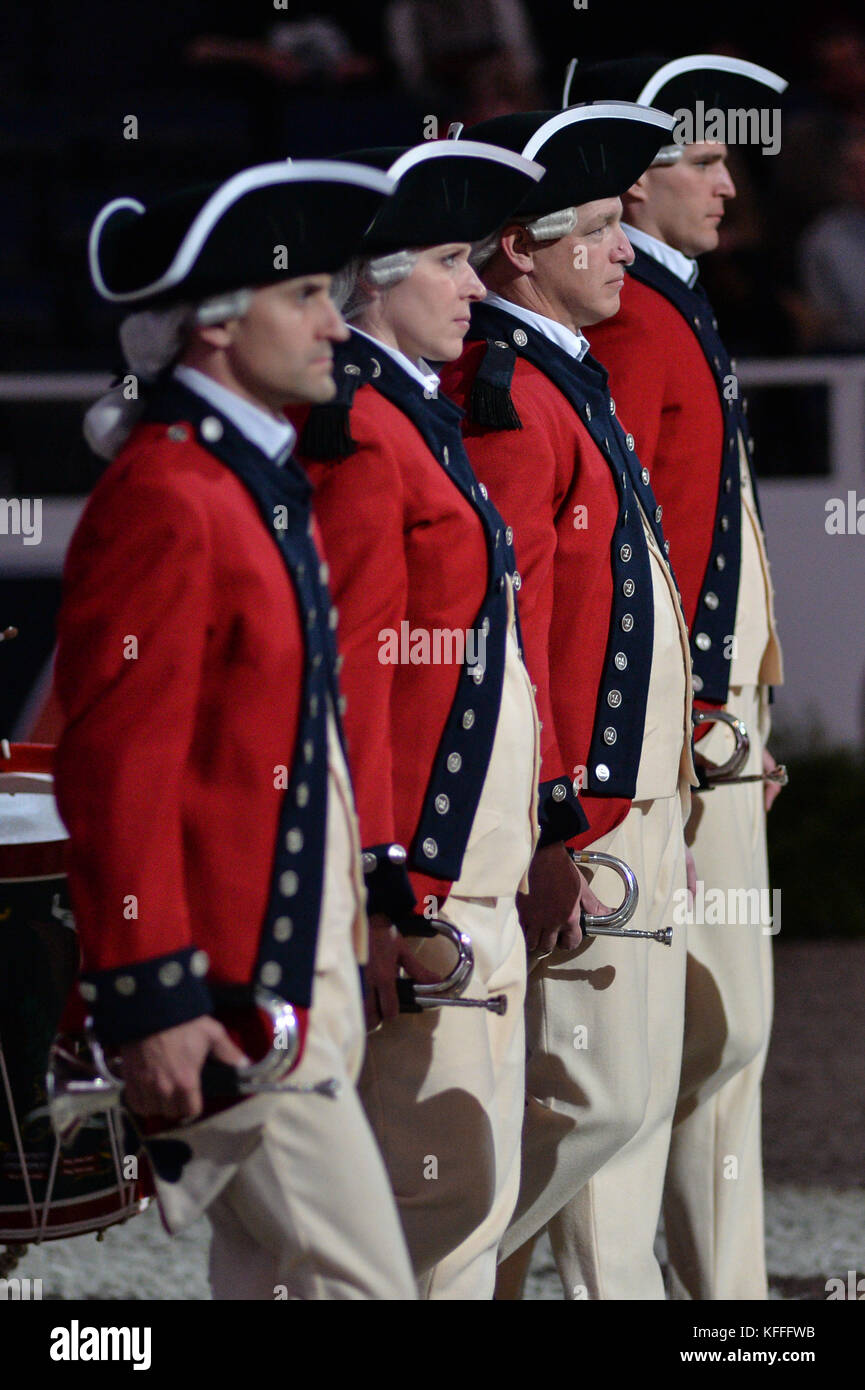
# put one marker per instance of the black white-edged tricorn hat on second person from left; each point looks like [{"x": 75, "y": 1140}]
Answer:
[{"x": 446, "y": 193}]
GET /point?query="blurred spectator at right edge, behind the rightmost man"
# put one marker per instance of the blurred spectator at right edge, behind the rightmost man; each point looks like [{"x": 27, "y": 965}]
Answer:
[{"x": 832, "y": 255}]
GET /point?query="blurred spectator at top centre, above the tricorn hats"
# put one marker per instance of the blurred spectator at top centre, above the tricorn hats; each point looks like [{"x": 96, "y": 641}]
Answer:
[{"x": 465, "y": 62}]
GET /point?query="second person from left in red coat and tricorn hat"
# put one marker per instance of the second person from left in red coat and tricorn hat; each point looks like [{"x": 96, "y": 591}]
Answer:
[{"x": 442, "y": 725}]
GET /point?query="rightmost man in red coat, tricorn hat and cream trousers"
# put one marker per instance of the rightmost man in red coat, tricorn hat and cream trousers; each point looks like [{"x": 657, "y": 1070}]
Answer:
[{"x": 678, "y": 393}]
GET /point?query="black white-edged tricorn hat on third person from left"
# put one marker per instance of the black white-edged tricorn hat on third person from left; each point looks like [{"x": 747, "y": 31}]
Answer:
[{"x": 590, "y": 152}]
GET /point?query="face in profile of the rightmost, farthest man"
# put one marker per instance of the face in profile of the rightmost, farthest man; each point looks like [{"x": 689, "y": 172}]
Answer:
[{"x": 686, "y": 201}]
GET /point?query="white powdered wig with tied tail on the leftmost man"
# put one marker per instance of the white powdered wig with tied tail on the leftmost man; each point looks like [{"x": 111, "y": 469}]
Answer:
[{"x": 152, "y": 341}]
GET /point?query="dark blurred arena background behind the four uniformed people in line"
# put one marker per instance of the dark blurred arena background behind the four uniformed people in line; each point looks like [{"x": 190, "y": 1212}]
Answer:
[{"x": 104, "y": 99}]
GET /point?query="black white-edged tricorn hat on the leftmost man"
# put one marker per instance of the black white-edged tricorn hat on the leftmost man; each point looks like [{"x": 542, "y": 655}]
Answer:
[{"x": 268, "y": 223}]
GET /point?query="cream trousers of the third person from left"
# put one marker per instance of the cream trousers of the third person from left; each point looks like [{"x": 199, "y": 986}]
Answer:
[{"x": 604, "y": 1053}]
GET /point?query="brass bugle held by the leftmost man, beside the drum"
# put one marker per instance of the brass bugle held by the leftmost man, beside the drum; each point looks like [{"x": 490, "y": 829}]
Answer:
[{"x": 74, "y": 1096}]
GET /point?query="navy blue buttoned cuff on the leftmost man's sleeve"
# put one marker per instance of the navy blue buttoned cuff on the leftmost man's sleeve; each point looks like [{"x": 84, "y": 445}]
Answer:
[{"x": 148, "y": 997}]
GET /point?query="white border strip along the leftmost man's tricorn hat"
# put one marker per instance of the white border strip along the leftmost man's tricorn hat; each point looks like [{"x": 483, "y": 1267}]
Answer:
[{"x": 262, "y": 176}]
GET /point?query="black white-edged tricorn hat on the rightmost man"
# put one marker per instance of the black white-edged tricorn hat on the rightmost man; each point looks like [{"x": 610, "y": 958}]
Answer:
[{"x": 674, "y": 85}]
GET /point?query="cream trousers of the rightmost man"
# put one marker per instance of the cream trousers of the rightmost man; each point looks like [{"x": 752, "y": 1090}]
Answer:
[{"x": 714, "y": 1199}]
